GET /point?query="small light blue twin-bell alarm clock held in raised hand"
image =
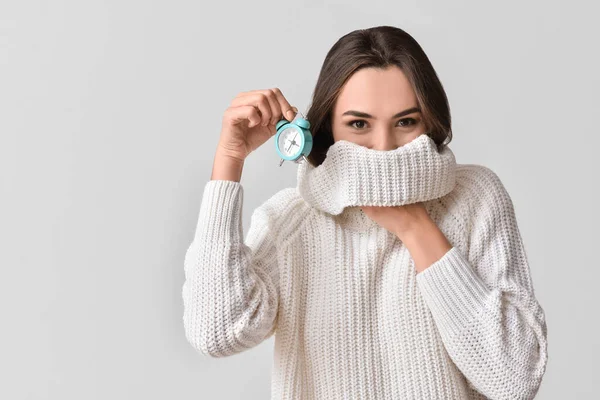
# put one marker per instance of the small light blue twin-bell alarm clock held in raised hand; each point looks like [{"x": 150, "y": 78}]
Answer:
[{"x": 293, "y": 140}]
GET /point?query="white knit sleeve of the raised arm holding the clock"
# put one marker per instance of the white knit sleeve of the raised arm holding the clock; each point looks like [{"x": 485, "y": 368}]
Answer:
[{"x": 230, "y": 292}]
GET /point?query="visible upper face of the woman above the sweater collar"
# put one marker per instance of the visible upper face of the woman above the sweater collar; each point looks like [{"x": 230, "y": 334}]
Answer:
[{"x": 377, "y": 109}]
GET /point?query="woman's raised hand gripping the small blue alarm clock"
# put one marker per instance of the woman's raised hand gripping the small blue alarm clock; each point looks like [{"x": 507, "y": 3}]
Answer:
[{"x": 250, "y": 121}]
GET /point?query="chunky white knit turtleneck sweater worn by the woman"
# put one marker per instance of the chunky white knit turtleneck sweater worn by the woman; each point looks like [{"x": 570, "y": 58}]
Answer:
[{"x": 352, "y": 319}]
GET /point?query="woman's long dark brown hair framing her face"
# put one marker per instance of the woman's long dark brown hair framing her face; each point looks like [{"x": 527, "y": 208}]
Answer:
[{"x": 378, "y": 47}]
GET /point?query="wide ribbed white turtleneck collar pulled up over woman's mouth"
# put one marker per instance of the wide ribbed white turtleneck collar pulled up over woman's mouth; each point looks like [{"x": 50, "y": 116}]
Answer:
[{"x": 353, "y": 175}]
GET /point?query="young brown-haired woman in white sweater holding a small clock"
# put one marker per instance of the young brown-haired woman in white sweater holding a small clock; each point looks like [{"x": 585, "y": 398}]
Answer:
[{"x": 389, "y": 271}]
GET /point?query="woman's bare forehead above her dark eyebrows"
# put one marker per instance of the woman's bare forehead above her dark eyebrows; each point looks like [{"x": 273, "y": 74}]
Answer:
[{"x": 380, "y": 92}]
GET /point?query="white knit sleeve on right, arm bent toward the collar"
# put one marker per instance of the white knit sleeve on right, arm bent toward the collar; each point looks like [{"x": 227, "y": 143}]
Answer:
[{"x": 483, "y": 303}]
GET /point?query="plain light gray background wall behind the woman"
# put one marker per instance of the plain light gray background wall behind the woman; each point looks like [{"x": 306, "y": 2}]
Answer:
[{"x": 110, "y": 112}]
